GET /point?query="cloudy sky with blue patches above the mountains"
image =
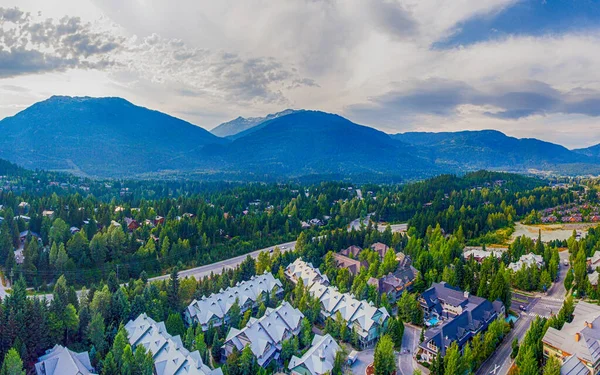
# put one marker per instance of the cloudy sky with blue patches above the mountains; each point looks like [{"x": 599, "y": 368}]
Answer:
[{"x": 528, "y": 68}]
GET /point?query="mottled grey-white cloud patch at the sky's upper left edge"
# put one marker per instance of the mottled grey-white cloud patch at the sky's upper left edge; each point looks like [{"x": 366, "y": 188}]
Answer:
[{"x": 29, "y": 47}]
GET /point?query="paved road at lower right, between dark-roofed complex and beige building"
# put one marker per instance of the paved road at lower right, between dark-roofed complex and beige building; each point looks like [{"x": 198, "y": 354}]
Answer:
[{"x": 543, "y": 305}]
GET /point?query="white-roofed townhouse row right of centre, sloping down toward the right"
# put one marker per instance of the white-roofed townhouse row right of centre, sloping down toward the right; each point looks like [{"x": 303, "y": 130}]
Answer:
[{"x": 360, "y": 315}]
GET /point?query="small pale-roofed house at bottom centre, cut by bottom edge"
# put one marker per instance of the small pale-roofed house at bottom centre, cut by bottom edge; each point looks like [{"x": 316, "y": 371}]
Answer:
[{"x": 318, "y": 360}]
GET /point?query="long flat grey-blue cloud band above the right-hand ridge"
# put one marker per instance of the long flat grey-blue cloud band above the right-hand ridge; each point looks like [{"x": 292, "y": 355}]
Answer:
[{"x": 510, "y": 101}]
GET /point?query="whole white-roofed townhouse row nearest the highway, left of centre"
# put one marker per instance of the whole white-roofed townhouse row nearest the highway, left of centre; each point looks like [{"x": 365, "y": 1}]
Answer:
[{"x": 249, "y": 294}]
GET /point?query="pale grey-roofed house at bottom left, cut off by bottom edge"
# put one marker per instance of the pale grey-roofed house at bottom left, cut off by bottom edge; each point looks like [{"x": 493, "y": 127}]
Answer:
[{"x": 62, "y": 361}]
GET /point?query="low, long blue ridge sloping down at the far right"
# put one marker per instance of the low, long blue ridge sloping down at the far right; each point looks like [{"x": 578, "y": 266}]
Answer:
[{"x": 491, "y": 149}]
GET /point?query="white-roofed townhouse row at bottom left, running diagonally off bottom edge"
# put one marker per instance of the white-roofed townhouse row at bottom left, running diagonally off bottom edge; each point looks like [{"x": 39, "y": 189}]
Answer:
[{"x": 169, "y": 355}]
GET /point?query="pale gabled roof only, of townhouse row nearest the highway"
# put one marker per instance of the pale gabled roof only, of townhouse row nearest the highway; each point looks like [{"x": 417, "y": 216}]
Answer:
[{"x": 218, "y": 305}]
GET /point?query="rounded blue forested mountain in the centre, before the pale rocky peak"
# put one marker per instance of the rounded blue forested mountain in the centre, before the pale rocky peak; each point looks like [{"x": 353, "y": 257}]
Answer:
[{"x": 317, "y": 143}]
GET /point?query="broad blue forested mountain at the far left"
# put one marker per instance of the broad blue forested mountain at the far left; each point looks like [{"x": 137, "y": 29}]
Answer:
[{"x": 106, "y": 137}]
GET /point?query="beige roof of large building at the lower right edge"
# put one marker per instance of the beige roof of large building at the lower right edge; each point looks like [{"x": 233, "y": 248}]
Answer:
[{"x": 585, "y": 327}]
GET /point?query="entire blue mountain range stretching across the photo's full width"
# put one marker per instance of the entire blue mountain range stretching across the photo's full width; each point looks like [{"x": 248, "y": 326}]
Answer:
[{"x": 111, "y": 137}]
